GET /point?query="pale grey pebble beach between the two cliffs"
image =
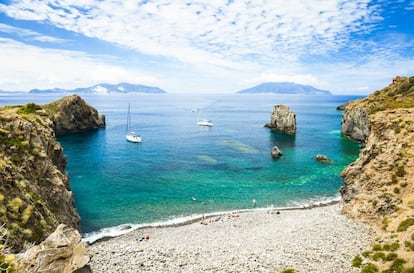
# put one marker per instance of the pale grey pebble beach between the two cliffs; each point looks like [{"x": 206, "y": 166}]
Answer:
[{"x": 308, "y": 240}]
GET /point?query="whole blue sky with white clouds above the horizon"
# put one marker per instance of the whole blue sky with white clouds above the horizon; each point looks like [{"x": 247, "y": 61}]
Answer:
[{"x": 214, "y": 46}]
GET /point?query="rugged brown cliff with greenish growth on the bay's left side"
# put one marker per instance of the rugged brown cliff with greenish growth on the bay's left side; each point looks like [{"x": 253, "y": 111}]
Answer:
[{"x": 35, "y": 194}]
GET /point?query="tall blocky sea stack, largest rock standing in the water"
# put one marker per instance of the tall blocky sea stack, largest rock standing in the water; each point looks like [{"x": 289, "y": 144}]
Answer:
[{"x": 282, "y": 120}]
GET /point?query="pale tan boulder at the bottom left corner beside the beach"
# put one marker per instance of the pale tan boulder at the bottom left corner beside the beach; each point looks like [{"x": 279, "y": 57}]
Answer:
[{"x": 62, "y": 252}]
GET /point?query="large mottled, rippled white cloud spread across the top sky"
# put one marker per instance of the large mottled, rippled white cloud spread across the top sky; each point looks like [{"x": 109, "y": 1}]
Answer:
[{"x": 210, "y": 31}]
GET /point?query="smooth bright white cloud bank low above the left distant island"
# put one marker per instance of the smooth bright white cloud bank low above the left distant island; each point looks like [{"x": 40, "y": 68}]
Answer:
[{"x": 25, "y": 67}]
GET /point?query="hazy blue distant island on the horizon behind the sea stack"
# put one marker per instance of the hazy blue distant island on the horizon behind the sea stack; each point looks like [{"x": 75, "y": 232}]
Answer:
[{"x": 284, "y": 88}]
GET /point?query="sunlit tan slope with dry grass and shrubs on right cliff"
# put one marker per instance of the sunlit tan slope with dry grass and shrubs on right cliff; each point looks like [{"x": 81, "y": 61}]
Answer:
[{"x": 384, "y": 177}]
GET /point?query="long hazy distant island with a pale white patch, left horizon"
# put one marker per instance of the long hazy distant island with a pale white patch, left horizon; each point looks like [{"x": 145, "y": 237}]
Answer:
[{"x": 104, "y": 88}]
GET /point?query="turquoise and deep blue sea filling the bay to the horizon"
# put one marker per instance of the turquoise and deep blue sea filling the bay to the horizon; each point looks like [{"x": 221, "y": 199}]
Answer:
[{"x": 181, "y": 171}]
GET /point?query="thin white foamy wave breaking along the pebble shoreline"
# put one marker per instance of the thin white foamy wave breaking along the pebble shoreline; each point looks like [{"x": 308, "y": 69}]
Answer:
[{"x": 115, "y": 231}]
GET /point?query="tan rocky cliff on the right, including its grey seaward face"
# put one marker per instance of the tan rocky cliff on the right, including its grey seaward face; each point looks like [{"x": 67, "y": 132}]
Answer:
[{"x": 379, "y": 186}]
